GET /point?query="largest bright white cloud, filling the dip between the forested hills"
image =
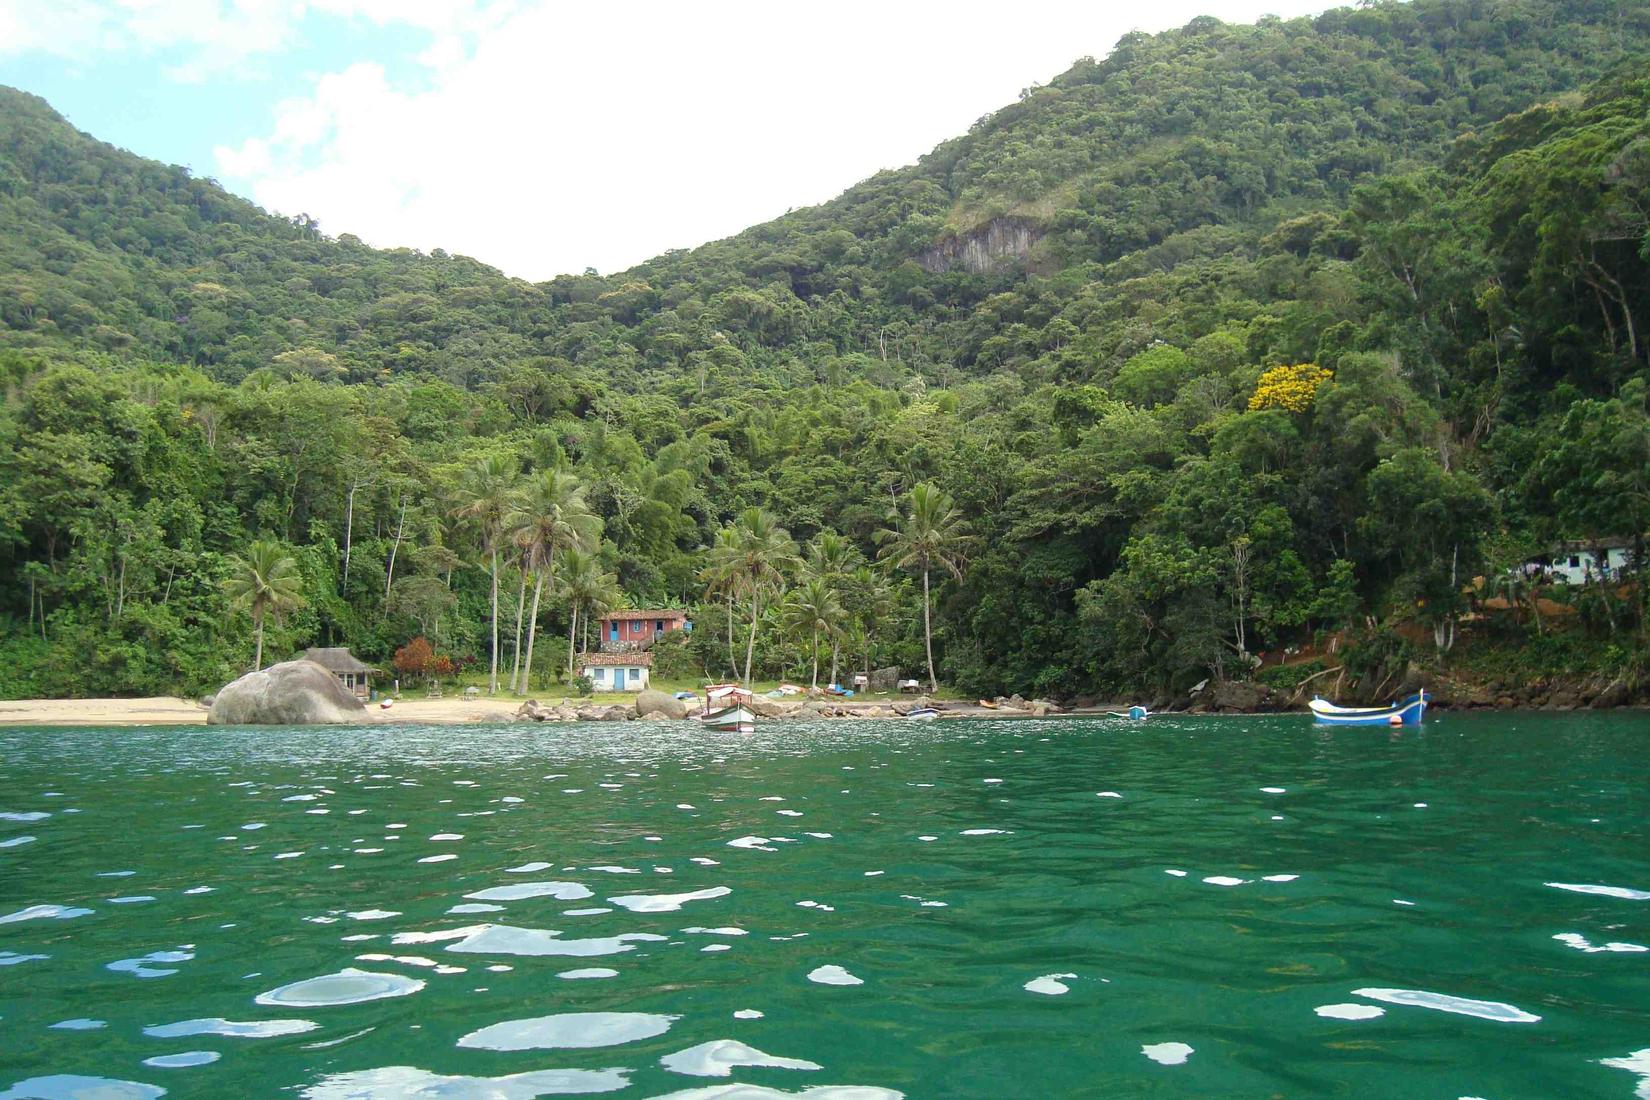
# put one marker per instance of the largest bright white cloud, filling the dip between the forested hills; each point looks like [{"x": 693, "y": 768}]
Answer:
[{"x": 578, "y": 136}]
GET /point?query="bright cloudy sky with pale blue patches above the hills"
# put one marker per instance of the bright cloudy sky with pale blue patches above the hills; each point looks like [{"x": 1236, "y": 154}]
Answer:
[{"x": 549, "y": 138}]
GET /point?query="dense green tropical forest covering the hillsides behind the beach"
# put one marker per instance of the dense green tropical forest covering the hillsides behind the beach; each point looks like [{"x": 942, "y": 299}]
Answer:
[{"x": 1233, "y": 341}]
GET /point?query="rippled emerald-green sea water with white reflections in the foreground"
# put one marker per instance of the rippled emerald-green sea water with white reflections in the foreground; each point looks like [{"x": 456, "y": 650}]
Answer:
[{"x": 846, "y": 911}]
